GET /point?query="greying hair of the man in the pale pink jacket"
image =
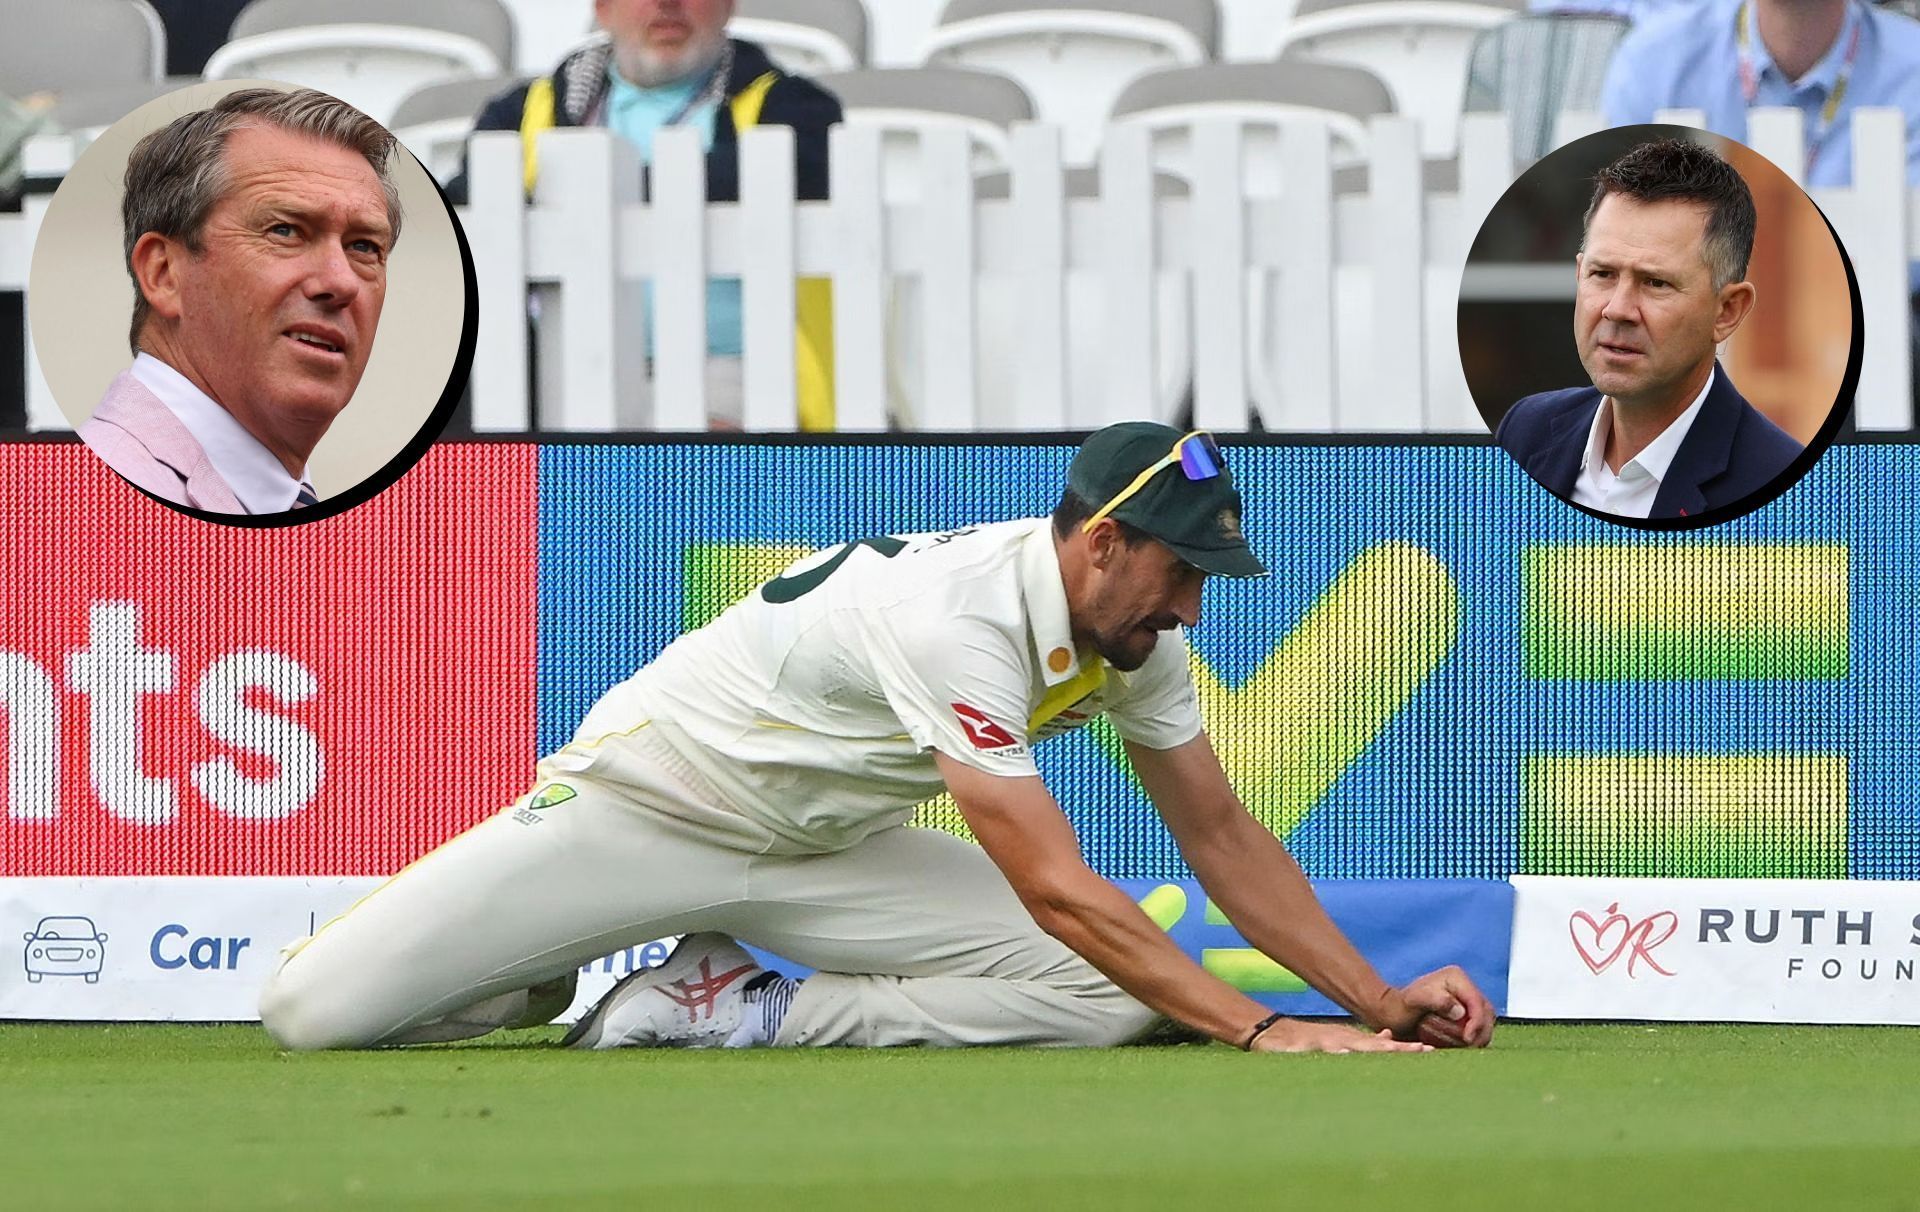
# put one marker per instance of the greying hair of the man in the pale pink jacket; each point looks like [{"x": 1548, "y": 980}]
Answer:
[{"x": 180, "y": 174}]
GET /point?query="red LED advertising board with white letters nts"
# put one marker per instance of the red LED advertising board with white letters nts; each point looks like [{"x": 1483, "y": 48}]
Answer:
[{"x": 189, "y": 698}]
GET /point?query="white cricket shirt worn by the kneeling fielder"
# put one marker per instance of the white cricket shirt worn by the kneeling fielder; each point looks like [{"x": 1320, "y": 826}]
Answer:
[{"x": 815, "y": 704}]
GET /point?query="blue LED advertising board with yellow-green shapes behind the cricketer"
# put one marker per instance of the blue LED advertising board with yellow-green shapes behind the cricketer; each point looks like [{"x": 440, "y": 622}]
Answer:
[{"x": 1449, "y": 675}]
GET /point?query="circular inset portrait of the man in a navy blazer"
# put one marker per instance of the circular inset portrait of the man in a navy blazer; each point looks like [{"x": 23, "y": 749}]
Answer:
[{"x": 1660, "y": 327}]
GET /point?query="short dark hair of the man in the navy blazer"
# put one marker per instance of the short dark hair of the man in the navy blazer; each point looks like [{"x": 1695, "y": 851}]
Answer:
[{"x": 1677, "y": 170}]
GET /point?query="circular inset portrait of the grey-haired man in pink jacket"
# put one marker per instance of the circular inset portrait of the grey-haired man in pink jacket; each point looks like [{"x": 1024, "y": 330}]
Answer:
[{"x": 252, "y": 303}]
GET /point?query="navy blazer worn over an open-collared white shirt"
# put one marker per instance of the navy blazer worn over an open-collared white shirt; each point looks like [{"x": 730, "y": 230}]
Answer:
[{"x": 1729, "y": 454}]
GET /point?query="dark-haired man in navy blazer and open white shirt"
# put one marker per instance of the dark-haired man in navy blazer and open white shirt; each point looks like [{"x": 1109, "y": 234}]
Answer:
[{"x": 1662, "y": 283}]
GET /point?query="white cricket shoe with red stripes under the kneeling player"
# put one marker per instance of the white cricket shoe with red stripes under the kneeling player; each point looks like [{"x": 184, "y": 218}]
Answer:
[{"x": 692, "y": 1002}]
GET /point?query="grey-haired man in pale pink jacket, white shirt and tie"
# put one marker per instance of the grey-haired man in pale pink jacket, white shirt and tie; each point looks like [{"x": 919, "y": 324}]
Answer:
[{"x": 256, "y": 235}]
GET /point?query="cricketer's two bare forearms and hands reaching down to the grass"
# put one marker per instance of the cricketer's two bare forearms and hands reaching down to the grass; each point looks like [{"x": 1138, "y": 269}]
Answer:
[{"x": 1245, "y": 869}]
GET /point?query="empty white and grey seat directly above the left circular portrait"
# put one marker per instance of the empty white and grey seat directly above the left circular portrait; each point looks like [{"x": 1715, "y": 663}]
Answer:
[{"x": 368, "y": 53}]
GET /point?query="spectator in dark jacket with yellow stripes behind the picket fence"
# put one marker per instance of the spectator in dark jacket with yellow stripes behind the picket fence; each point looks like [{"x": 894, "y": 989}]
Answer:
[{"x": 669, "y": 62}]
